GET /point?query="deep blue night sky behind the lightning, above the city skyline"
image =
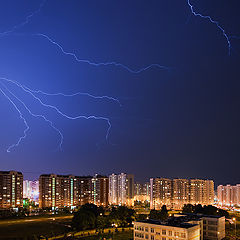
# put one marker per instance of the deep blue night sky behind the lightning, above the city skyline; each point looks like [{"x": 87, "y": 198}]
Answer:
[{"x": 179, "y": 121}]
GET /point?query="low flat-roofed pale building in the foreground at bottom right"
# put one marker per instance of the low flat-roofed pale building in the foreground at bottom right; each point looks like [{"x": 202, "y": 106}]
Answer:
[{"x": 181, "y": 226}]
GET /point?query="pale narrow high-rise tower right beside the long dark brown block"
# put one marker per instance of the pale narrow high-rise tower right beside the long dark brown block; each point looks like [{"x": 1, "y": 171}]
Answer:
[{"x": 121, "y": 189}]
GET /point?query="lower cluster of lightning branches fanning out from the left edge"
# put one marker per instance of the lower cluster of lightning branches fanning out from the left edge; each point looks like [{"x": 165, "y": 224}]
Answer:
[{"x": 31, "y": 93}]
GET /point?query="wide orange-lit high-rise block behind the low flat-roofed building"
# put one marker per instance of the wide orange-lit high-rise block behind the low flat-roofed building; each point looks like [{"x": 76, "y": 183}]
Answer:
[{"x": 176, "y": 192}]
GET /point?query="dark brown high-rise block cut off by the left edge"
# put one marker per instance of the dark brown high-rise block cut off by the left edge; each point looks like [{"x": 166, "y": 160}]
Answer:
[{"x": 11, "y": 189}]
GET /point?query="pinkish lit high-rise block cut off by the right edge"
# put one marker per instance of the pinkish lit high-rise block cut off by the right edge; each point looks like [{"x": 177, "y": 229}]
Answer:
[{"x": 228, "y": 195}]
